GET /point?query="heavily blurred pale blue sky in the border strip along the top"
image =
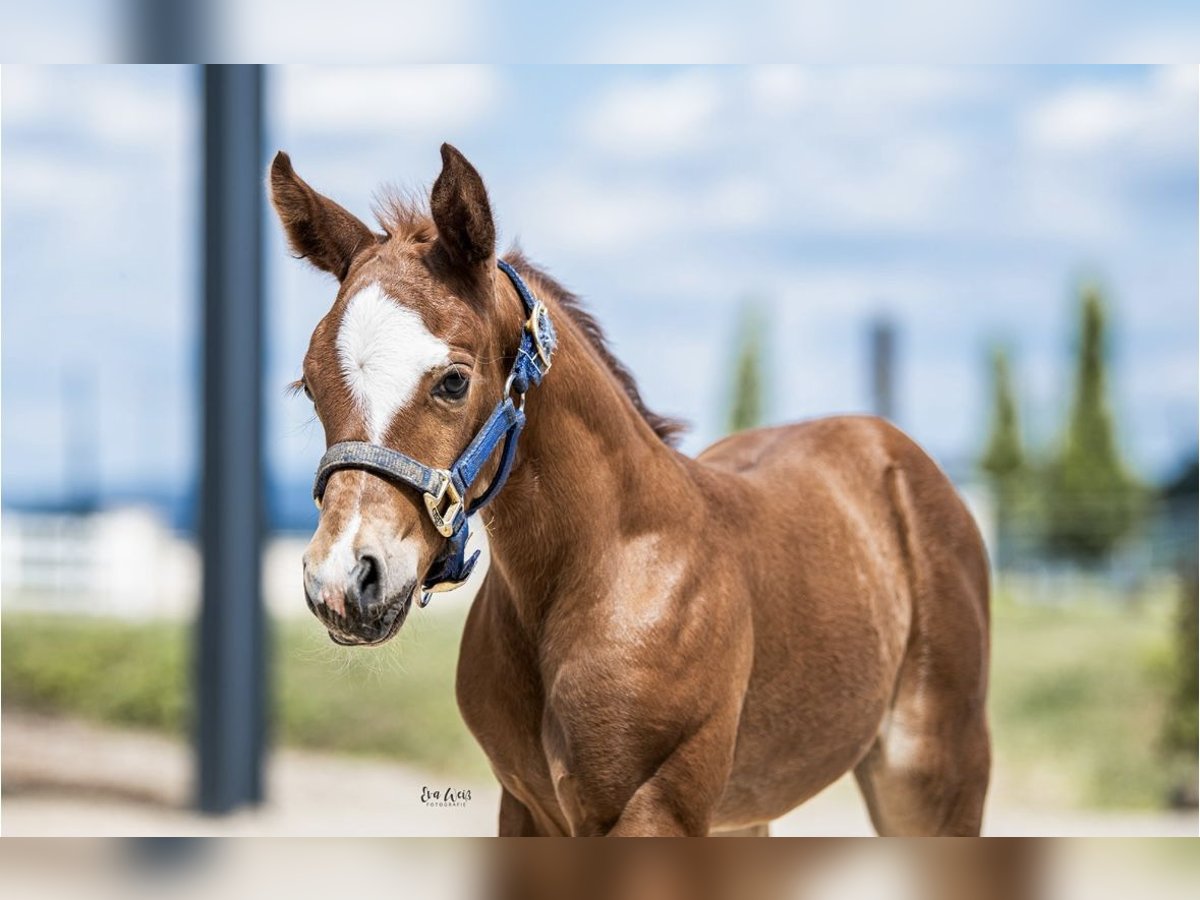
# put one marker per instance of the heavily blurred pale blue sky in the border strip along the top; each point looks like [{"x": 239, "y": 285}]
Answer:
[{"x": 632, "y": 32}]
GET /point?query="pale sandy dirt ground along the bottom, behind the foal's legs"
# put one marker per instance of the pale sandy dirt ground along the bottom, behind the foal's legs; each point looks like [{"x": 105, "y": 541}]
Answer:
[{"x": 70, "y": 778}]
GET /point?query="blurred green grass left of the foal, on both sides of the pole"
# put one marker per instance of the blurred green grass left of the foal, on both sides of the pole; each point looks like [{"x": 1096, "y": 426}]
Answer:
[{"x": 394, "y": 703}]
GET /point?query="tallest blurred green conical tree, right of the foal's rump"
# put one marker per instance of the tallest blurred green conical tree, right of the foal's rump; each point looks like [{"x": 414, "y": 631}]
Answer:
[{"x": 1093, "y": 501}]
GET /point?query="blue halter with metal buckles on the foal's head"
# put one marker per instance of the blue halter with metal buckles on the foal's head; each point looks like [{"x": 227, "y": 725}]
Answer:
[{"x": 445, "y": 490}]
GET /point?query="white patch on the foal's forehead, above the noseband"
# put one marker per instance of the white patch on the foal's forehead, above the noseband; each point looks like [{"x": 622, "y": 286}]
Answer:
[{"x": 385, "y": 351}]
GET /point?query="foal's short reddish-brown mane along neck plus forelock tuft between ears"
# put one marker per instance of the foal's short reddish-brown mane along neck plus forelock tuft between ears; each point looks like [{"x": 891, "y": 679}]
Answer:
[{"x": 404, "y": 217}]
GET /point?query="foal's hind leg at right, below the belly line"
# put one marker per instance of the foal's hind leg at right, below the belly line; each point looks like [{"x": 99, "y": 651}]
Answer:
[{"x": 927, "y": 773}]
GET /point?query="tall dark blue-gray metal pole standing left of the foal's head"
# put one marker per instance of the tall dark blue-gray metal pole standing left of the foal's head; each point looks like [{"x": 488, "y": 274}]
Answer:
[{"x": 232, "y": 673}]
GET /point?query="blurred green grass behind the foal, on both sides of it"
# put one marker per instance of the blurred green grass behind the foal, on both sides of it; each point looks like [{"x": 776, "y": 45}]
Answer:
[{"x": 1078, "y": 693}]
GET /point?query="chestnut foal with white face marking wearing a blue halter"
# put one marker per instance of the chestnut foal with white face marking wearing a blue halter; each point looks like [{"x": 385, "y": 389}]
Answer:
[{"x": 662, "y": 645}]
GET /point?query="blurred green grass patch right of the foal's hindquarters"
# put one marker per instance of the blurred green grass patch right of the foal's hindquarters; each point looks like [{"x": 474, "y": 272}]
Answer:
[{"x": 1078, "y": 699}]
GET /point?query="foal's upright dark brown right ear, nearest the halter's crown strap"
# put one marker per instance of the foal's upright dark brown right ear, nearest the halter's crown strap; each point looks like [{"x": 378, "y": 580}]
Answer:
[{"x": 461, "y": 212}]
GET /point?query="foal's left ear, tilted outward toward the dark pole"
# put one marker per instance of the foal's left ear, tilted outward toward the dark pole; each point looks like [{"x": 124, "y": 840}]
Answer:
[{"x": 319, "y": 230}]
